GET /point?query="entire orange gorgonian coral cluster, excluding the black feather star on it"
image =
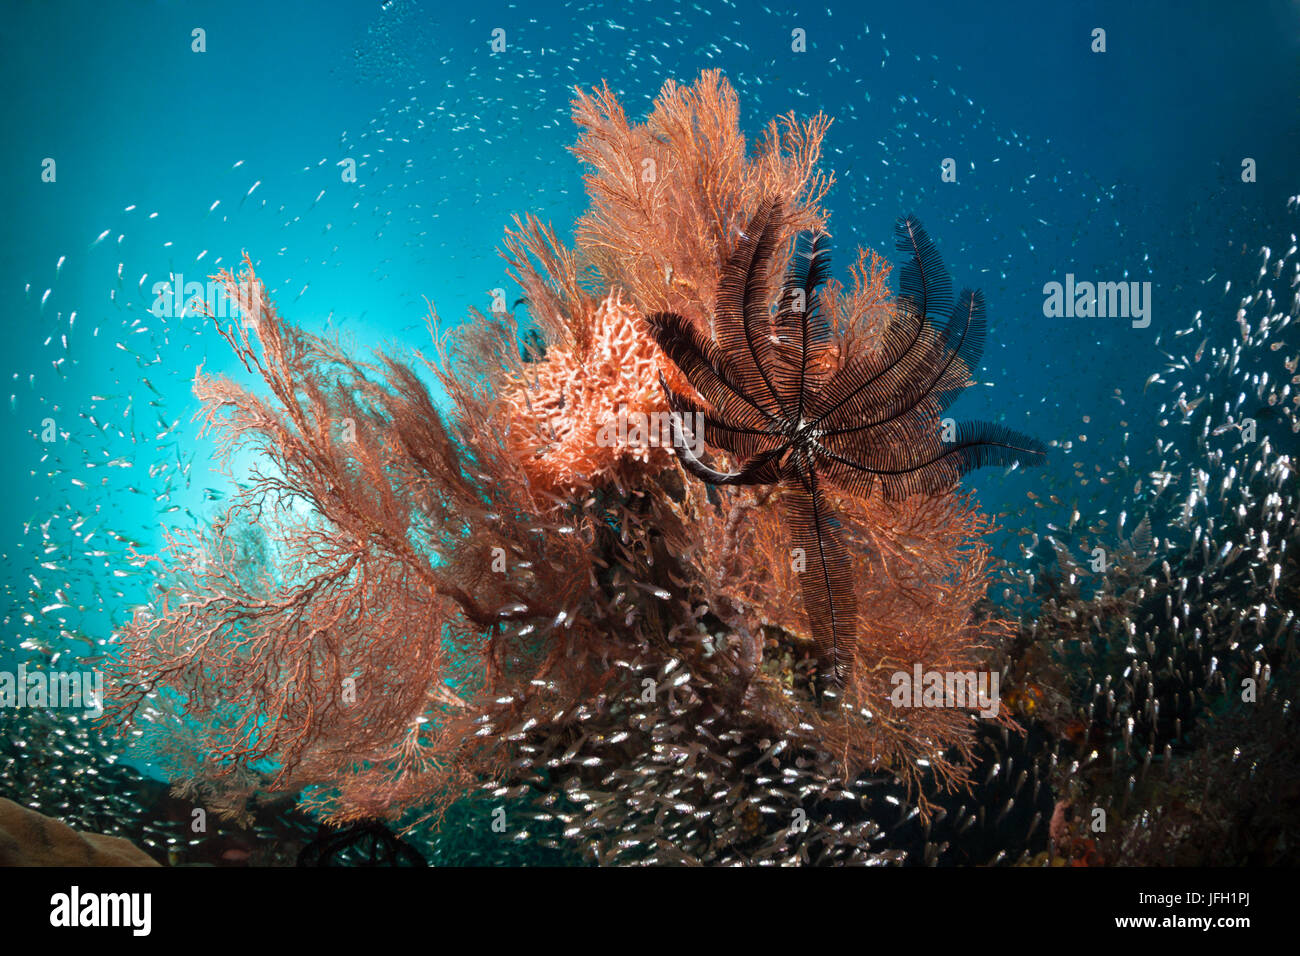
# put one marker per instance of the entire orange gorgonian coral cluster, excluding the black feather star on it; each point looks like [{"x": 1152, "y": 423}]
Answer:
[{"x": 441, "y": 598}]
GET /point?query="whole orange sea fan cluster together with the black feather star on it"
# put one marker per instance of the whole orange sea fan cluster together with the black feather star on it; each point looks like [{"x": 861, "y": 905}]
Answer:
[{"x": 411, "y": 598}]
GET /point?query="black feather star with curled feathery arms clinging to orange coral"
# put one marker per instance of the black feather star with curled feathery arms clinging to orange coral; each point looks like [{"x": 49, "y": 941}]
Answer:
[{"x": 778, "y": 401}]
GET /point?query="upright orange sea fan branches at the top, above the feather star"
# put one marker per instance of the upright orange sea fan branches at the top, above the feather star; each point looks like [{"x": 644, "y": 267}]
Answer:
[{"x": 668, "y": 202}]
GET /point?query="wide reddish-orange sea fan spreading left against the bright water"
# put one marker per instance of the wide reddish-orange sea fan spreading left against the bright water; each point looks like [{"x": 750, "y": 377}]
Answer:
[{"x": 349, "y": 663}]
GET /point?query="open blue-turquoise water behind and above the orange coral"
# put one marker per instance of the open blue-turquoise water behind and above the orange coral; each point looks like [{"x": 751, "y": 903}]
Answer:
[{"x": 1112, "y": 166}]
